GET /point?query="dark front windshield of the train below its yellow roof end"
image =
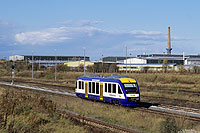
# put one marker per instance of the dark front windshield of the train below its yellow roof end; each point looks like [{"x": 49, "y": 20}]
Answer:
[{"x": 131, "y": 88}]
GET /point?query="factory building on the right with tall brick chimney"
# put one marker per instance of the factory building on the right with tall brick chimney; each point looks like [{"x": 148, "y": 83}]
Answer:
[{"x": 159, "y": 61}]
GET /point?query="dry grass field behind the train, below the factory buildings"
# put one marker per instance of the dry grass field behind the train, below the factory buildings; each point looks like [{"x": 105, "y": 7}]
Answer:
[{"x": 151, "y": 84}]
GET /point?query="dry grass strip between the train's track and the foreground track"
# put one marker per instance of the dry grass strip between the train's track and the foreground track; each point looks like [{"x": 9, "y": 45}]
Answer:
[{"x": 126, "y": 117}]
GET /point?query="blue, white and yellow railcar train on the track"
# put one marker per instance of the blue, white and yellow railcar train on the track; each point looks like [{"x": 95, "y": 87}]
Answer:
[{"x": 115, "y": 89}]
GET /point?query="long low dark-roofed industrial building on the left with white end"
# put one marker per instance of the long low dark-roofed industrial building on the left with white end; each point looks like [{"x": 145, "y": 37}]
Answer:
[{"x": 47, "y": 60}]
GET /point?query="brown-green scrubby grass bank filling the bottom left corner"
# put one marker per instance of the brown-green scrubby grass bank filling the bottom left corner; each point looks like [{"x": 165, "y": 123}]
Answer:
[{"x": 24, "y": 111}]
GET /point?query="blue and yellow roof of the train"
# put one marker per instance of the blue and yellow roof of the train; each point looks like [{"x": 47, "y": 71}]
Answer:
[{"x": 111, "y": 78}]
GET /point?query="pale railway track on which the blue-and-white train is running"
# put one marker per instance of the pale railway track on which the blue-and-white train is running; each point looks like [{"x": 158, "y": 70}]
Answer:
[{"x": 176, "y": 111}]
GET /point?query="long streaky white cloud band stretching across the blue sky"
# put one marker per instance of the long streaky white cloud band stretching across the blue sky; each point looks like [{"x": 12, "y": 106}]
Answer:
[{"x": 91, "y": 35}]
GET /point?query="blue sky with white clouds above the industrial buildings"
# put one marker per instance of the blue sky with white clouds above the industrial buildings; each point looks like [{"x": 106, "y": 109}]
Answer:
[{"x": 101, "y": 27}]
